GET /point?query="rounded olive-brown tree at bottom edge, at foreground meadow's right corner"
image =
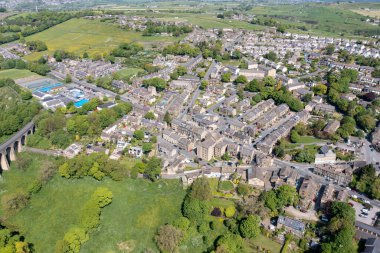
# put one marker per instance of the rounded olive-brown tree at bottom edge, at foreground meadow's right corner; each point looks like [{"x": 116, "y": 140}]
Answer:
[{"x": 168, "y": 238}]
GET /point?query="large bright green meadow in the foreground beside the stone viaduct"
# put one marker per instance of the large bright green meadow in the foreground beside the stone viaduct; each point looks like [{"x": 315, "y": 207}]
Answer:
[{"x": 138, "y": 209}]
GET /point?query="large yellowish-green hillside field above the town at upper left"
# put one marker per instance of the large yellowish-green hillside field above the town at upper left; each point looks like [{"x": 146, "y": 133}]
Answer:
[{"x": 91, "y": 36}]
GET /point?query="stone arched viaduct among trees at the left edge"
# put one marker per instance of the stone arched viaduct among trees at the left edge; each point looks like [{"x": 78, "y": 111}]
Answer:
[{"x": 14, "y": 145}]
